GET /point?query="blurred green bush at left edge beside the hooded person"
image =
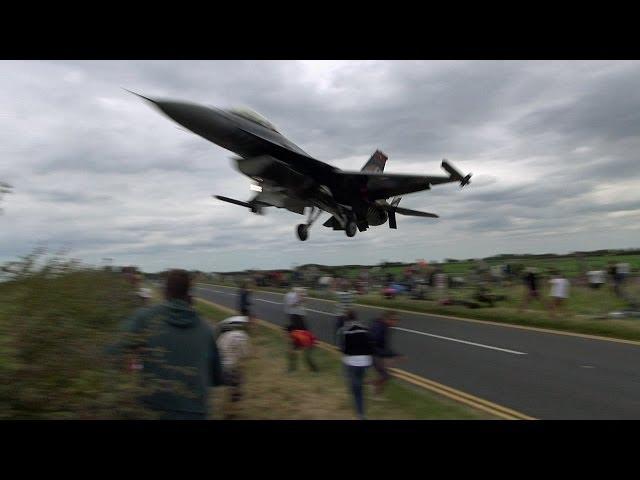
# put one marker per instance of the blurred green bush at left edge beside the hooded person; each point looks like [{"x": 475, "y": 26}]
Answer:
[{"x": 56, "y": 323}]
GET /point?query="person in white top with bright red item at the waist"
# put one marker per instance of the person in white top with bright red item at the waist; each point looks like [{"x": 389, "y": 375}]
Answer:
[{"x": 299, "y": 336}]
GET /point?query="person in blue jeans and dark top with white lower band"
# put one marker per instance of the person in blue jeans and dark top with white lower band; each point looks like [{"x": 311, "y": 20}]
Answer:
[{"x": 355, "y": 343}]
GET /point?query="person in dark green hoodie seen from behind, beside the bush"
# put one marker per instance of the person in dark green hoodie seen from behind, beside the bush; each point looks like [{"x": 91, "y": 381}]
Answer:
[{"x": 177, "y": 353}]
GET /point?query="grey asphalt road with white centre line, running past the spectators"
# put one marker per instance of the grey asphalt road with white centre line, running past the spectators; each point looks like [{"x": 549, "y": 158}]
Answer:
[{"x": 543, "y": 375}]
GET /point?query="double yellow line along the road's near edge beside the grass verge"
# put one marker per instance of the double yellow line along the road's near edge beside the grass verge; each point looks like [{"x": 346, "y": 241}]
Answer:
[{"x": 444, "y": 390}]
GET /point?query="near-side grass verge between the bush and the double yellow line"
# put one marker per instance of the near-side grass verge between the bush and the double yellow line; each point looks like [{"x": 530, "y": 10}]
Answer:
[{"x": 271, "y": 393}]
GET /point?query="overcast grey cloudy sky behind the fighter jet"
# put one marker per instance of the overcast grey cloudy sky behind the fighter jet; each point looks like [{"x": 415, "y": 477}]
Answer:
[{"x": 552, "y": 145}]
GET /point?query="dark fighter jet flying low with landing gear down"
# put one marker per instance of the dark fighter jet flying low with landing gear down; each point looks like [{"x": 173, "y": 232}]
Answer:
[{"x": 285, "y": 176}]
